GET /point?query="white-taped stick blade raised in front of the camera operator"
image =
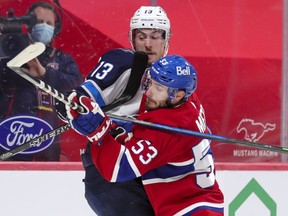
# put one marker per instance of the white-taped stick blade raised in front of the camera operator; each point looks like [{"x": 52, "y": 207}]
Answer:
[{"x": 26, "y": 55}]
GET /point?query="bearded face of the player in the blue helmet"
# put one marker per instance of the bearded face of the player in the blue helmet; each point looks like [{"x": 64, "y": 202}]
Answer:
[{"x": 157, "y": 95}]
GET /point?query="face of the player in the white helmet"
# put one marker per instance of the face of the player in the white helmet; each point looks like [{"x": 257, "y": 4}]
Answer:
[{"x": 150, "y": 41}]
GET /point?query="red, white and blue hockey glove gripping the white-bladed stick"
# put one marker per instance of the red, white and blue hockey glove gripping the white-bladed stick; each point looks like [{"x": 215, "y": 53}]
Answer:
[{"x": 92, "y": 123}]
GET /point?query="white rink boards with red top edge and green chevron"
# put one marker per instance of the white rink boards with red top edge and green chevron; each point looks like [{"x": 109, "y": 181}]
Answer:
[{"x": 56, "y": 189}]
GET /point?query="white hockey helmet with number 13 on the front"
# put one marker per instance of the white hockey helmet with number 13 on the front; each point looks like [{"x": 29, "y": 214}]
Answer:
[{"x": 150, "y": 17}]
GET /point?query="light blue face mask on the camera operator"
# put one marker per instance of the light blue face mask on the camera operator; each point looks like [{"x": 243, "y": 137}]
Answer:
[{"x": 42, "y": 32}]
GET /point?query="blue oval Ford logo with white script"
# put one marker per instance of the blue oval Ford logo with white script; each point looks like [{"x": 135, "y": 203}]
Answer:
[{"x": 18, "y": 130}]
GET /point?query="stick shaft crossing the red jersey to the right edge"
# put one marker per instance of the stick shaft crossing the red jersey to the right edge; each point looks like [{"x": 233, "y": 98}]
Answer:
[{"x": 200, "y": 135}]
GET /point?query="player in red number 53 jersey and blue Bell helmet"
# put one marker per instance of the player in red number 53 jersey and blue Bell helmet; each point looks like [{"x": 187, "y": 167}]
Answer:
[{"x": 177, "y": 171}]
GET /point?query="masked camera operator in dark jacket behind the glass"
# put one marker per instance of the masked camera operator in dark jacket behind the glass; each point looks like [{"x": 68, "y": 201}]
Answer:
[{"x": 21, "y": 101}]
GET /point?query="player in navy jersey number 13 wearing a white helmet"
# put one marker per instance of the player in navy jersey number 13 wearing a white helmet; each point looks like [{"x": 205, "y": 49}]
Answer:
[{"x": 149, "y": 33}]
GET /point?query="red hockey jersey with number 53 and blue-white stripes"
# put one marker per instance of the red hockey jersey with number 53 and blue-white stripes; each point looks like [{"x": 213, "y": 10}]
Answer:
[{"x": 177, "y": 170}]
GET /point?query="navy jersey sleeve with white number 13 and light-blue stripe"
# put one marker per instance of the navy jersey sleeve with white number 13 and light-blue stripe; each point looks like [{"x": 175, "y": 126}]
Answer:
[{"x": 108, "y": 79}]
